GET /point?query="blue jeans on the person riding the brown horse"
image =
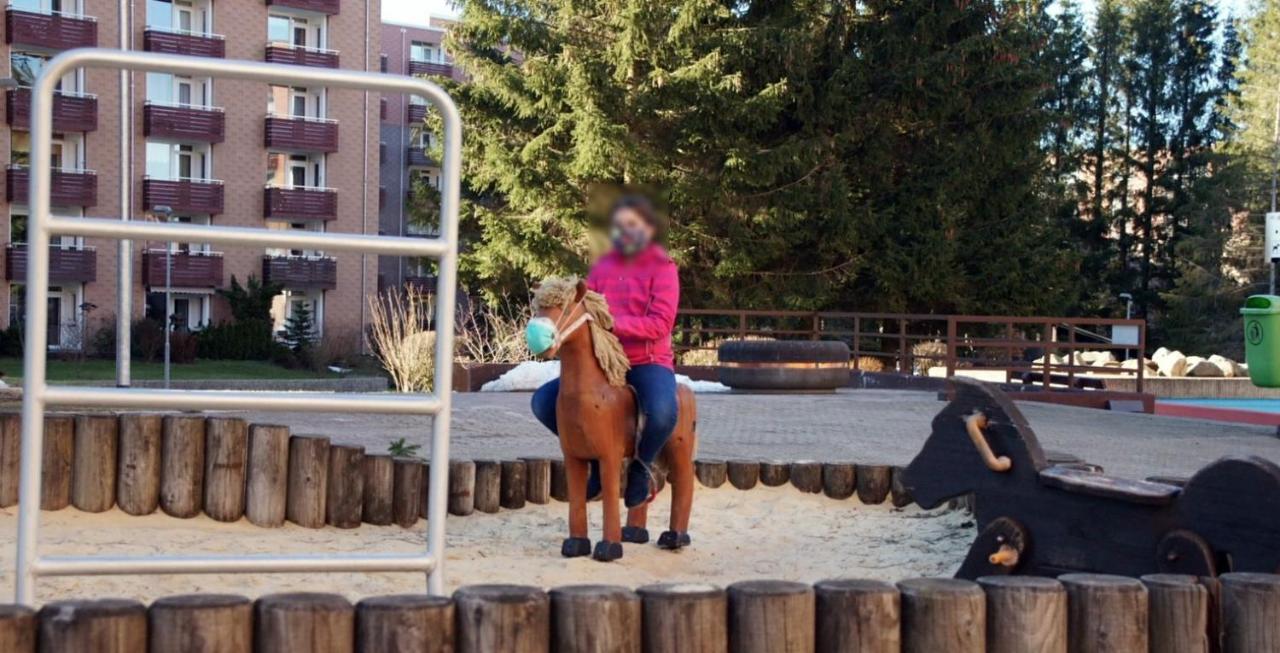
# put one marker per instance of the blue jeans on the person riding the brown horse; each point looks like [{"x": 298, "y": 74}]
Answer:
[{"x": 656, "y": 391}]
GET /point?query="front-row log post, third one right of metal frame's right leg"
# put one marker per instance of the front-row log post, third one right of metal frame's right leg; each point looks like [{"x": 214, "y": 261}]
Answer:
[{"x": 684, "y": 618}]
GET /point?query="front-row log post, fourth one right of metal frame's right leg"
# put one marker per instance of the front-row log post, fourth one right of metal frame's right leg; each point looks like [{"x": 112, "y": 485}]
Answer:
[{"x": 771, "y": 617}]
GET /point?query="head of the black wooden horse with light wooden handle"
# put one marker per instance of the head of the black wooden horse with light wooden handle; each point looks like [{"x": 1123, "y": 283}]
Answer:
[{"x": 979, "y": 441}]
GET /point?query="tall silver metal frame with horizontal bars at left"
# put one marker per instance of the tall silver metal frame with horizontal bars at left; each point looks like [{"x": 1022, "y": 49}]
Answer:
[{"x": 39, "y": 395}]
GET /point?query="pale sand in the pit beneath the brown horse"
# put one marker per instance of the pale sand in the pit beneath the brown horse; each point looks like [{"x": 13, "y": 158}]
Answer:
[{"x": 764, "y": 533}]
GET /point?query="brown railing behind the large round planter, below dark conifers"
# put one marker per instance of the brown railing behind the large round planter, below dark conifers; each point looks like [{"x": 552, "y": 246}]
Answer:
[{"x": 1034, "y": 350}]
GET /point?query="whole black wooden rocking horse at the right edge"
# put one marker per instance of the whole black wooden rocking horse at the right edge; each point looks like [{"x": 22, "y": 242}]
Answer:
[{"x": 1043, "y": 519}]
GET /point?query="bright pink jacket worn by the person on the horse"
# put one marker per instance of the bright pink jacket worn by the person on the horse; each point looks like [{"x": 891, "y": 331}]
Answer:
[{"x": 643, "y": 294}]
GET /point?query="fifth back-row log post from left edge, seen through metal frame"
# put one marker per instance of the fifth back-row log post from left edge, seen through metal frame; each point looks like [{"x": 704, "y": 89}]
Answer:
[{"x": 182, "y": 465}]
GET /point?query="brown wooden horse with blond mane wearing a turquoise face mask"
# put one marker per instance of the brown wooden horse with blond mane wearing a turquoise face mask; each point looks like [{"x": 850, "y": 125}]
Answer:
[{"x": 596, "y": 415}]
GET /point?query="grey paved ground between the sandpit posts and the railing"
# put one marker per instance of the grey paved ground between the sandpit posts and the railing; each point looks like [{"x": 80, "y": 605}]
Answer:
[{"x": 856, "y": 426}]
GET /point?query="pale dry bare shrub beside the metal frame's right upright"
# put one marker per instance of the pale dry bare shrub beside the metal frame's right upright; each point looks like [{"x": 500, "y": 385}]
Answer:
[{"x": 400, "y": 339}]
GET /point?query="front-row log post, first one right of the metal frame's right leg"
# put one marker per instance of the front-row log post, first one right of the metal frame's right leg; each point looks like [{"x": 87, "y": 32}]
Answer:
[{"x": 513, "y": 619}]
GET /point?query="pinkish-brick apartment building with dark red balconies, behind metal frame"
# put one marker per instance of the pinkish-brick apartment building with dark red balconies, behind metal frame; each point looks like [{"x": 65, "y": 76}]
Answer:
[{"x": 220, "y": 152}]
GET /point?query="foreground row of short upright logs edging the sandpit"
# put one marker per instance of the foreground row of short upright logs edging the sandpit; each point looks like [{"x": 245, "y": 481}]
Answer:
[{"x": 913, "y": 617}]
